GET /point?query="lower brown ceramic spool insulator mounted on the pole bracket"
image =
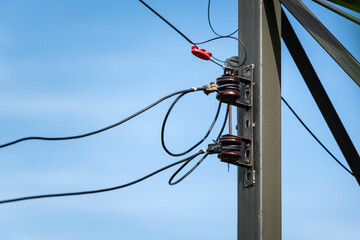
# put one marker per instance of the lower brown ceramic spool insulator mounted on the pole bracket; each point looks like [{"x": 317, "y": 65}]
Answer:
[{"x": 230, "y": 148}]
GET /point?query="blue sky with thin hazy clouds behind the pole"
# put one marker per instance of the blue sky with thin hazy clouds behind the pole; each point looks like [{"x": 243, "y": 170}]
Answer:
[{"x": 68, "y": 67}]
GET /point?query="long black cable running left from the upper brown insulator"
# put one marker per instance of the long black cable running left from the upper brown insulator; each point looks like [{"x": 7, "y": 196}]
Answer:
[{"x": 105, "y": 128}]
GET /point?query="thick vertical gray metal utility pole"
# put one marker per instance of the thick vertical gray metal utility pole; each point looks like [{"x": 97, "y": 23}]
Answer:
[{"x": 259, "y": 205}]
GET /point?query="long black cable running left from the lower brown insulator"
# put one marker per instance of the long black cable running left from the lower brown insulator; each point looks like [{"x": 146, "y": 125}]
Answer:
[{"x": 202, "y": 151}]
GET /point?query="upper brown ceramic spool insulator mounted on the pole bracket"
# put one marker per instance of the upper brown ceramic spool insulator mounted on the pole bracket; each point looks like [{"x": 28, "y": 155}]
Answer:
[{"x": 229, "y": 89}]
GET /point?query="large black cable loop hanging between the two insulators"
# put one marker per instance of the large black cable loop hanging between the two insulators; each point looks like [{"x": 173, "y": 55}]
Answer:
[{"x": 195, "y": 145}]
